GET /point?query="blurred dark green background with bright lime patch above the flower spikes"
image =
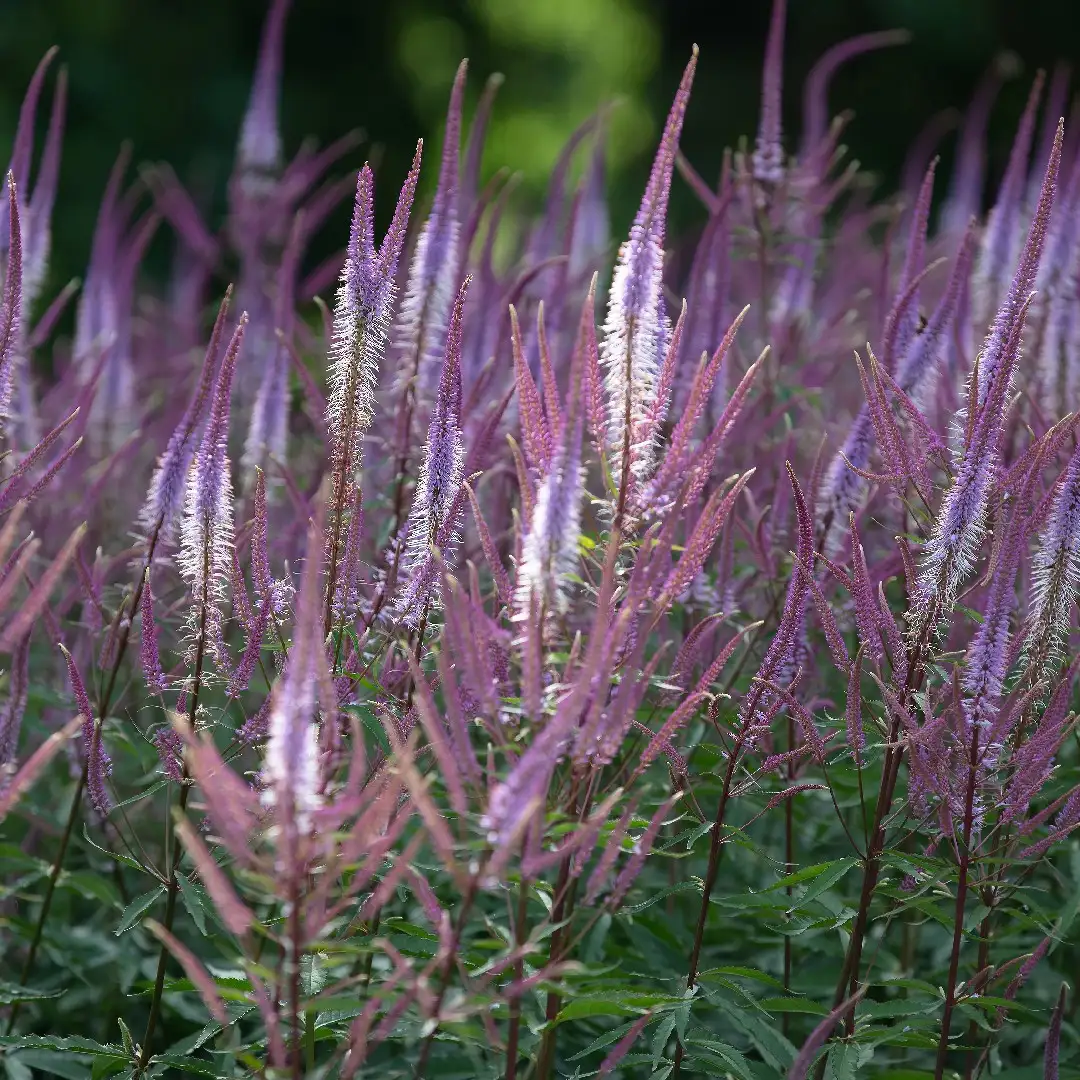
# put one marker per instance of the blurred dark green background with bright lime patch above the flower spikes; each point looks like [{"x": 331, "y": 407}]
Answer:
[{"x": 172, "y": 76}]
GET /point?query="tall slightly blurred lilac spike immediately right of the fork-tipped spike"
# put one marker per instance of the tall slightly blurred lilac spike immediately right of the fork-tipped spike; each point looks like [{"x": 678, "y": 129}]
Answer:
[{"x": 434, "y": 274}]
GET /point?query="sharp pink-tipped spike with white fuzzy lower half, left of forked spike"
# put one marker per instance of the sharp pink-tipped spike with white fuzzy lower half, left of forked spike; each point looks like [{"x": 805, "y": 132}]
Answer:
[{"x": 206, "y": 556}]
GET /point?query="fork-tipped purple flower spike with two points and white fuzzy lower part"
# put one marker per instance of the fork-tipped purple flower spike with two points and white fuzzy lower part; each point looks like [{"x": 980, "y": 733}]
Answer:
[{"x": 362, "y": 317}]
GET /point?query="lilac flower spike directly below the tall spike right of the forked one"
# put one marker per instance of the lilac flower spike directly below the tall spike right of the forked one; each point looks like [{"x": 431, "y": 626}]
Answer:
[{"x": 438, "y": 501}]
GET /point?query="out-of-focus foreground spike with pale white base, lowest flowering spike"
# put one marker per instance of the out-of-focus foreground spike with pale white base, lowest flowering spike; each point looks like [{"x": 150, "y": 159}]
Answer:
[{"x": 292, "y": 760}]
